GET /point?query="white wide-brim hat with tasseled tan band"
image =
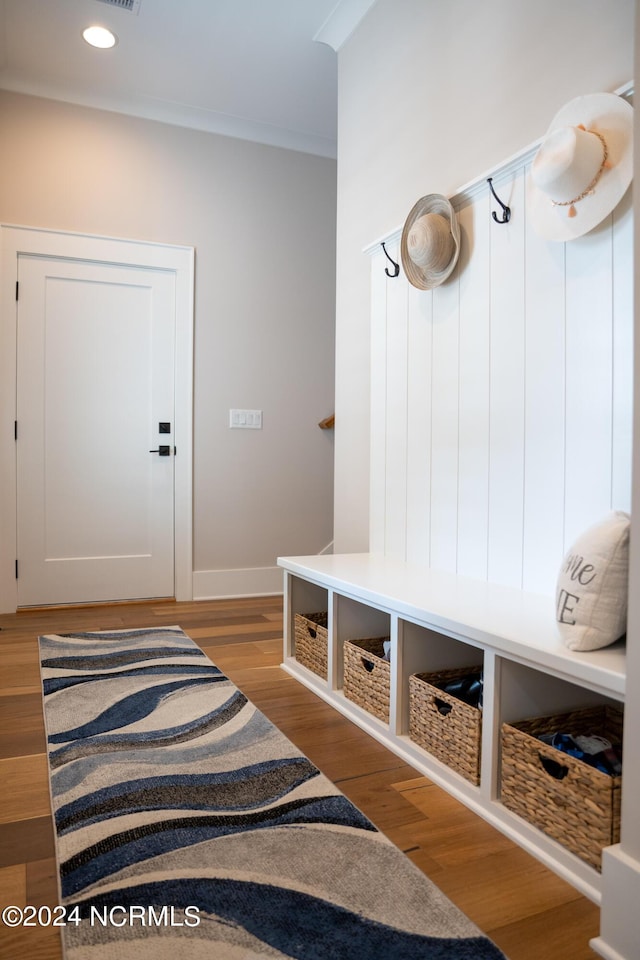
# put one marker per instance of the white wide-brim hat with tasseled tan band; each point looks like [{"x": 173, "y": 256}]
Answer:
[{"x": 583, "y": 167}]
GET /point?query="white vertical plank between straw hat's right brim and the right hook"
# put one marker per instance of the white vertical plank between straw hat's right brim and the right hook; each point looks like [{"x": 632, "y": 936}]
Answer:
[{"x": 473, "y": 437}]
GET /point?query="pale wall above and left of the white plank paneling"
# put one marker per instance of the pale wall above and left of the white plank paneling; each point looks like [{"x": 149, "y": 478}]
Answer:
[{"x": 430, "y": 96}]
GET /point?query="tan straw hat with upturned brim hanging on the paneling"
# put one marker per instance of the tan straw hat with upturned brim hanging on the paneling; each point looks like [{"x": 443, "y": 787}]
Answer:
[{"x": 430, "y": 242}]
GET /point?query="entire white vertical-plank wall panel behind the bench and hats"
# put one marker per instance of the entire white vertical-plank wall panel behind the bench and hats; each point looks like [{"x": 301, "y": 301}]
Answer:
[{"x": 501, "y": 401}]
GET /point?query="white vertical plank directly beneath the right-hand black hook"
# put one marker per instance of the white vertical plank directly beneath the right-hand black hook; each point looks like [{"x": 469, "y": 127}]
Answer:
[{"x": 506, "y": 440}]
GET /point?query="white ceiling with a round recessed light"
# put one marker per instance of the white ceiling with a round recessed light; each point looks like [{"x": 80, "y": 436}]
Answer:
[{"x": 263, "y": 70}]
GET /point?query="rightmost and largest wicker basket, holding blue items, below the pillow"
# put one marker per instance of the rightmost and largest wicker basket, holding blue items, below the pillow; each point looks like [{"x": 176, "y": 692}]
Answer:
[{"x": 565, "y": 797}]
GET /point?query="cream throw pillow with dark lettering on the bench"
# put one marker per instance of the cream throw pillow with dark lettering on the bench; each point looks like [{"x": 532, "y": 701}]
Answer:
[{"x": 592, "y": 591}]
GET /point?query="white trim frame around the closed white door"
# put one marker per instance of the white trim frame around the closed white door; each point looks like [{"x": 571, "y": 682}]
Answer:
[{"x": 16, "y": 240}]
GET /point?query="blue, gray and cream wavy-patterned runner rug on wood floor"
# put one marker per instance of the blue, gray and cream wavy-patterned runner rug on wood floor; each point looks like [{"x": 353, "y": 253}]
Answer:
[{"x": 188, "y": 825}]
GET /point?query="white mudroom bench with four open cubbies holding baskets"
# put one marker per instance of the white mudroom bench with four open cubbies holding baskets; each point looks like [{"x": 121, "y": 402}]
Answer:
[{"x": 438, "y": 621}]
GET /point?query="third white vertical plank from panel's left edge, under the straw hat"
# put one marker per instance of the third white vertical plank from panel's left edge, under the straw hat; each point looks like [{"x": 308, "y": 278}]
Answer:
[{"x": 419, "y": 425}]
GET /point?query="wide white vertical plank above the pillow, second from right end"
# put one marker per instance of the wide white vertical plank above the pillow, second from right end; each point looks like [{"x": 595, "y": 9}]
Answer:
[{"x": 589, "y": 360}]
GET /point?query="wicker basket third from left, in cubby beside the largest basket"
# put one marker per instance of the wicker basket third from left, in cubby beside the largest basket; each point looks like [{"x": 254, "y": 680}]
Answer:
[{"x": 444, "y": 725}]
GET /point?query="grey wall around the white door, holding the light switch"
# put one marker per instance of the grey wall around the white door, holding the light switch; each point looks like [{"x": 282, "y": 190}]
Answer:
[{"x": 262, "y": 221}]
